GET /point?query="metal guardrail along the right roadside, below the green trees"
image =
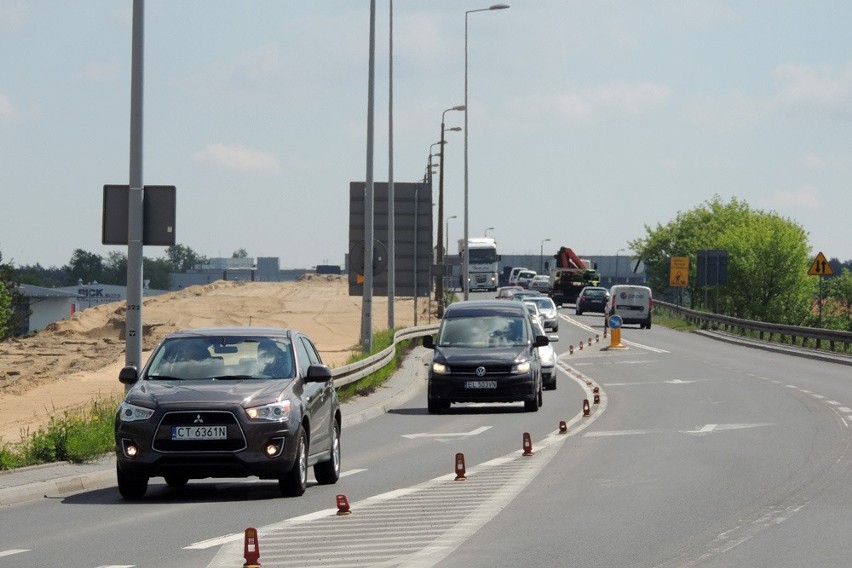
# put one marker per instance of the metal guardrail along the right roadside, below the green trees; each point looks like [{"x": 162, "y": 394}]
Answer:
[{"x": 811, "y": 336}]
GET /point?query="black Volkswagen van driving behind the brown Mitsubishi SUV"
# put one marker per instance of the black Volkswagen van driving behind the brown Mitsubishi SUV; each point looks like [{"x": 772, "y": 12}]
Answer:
[{"x": 485, "y": 351}]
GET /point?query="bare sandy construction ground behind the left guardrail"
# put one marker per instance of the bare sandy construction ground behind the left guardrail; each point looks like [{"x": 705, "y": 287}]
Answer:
[{"x": 75, "y": 361}]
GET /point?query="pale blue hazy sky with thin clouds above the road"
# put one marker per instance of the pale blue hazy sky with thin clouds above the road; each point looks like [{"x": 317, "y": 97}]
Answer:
[{"x": 588, "y": 122}]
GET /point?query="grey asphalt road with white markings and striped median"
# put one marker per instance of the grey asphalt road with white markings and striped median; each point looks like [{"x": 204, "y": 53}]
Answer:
[{"x": 700, "y": 453}]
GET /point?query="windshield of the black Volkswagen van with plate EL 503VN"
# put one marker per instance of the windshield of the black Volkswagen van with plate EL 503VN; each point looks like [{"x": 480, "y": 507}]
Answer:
[{"x": 483, "y": 331}]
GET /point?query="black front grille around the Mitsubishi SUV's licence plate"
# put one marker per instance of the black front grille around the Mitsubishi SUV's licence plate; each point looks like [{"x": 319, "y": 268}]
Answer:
[{"x": 163, "y": 441}]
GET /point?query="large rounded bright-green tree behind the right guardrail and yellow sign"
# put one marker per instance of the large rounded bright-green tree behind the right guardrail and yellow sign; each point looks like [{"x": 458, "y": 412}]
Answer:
[{"x": 767, "y": 260}]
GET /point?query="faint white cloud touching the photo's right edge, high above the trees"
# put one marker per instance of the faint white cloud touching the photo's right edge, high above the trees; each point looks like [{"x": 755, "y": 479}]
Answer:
[{"x": 821, "y": 88}]
